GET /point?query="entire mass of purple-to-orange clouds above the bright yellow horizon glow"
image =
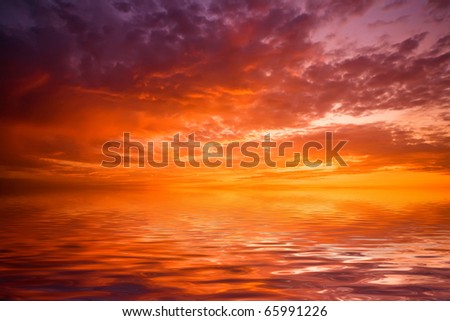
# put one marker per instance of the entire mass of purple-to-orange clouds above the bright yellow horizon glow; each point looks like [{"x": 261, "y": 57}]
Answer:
[{"x": 71, "y": 68}]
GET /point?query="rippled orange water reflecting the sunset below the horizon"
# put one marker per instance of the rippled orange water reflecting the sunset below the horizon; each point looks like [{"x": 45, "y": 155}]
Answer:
[{"x": 226, "y": 245}]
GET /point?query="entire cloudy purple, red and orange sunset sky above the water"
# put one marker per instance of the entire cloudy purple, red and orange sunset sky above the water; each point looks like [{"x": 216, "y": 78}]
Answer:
[{"x": 75, "y": 74}]
